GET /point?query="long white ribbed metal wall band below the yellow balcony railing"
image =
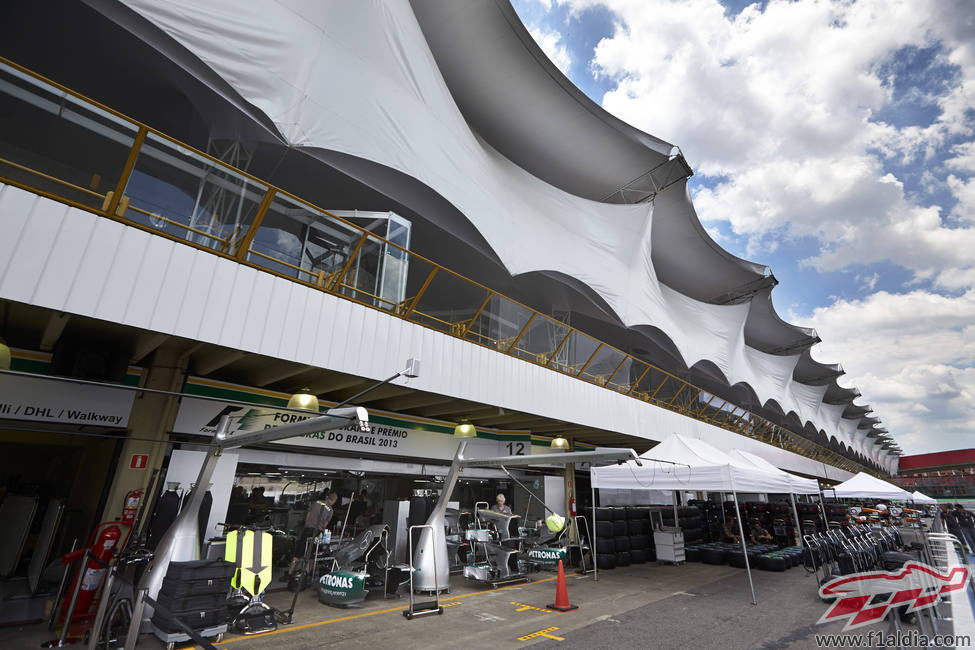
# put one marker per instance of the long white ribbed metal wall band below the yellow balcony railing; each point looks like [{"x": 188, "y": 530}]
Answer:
[{"x": 125, "y": 275}]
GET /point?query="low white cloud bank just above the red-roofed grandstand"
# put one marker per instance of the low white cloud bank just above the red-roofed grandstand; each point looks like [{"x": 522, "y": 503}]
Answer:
[{"x": 912, "y": 356}]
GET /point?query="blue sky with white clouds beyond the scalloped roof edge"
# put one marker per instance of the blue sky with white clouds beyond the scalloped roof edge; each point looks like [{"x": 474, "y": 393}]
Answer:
[{"x": 833, "y": 141}]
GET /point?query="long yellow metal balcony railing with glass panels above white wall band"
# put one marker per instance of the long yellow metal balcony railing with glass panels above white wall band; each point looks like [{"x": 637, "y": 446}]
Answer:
[{"x": 555, "y": 345}]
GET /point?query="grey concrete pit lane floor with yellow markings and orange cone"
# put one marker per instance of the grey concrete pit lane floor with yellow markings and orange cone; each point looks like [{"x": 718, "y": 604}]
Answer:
[{"x": 641, "y": 606}]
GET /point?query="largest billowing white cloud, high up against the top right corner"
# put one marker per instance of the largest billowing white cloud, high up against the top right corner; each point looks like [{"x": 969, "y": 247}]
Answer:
[{"x": 782, "y": 102}]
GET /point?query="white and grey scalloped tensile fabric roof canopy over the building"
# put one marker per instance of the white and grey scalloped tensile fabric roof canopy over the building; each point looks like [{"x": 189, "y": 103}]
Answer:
[{"x": 495, "y": 130}]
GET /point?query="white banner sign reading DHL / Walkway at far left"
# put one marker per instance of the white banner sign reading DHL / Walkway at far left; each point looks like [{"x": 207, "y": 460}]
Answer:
[{"x": 49, "y": 400}]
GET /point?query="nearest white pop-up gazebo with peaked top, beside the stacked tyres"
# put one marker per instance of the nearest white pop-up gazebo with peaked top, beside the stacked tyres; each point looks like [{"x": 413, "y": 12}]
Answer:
[{"x": 680, "y": 463}]
